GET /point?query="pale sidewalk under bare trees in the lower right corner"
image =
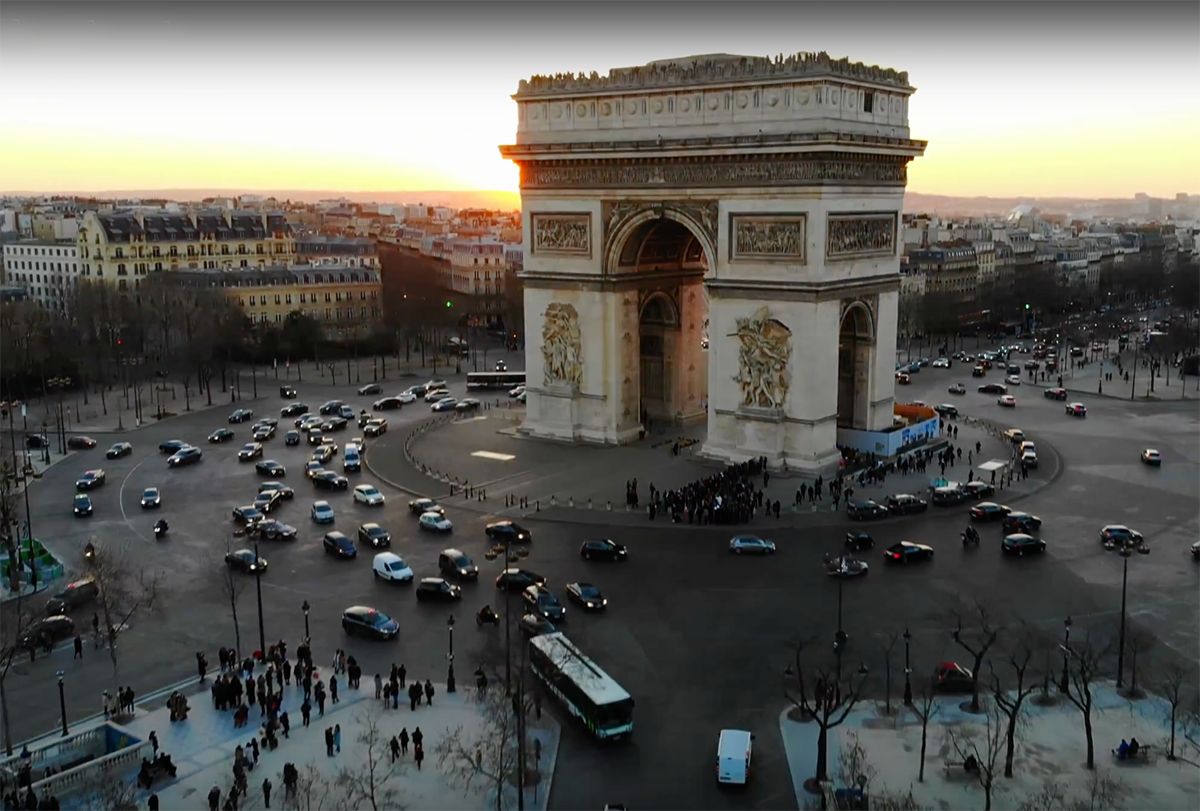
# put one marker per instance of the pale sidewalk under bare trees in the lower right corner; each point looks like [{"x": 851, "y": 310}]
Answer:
[{"x": 1051, "y": 748}]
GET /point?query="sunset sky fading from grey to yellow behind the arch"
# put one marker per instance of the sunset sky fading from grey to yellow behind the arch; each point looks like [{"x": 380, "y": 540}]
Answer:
[{"x": 364, "y": 98}]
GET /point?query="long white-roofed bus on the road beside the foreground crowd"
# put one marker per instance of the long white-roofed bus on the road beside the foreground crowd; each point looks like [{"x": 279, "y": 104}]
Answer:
[{"x": 586, "y": 692}]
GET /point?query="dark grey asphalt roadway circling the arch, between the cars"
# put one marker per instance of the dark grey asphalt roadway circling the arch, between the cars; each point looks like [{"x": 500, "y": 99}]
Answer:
[{"x": 699, "y": 639}]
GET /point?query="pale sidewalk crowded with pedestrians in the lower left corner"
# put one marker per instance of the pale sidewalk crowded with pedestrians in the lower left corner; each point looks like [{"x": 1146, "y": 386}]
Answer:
[{"x": 203, "y": 747}]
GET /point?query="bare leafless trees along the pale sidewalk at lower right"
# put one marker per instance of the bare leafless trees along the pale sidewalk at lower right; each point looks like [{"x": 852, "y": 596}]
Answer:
[{"x": 1012, "y": 664}]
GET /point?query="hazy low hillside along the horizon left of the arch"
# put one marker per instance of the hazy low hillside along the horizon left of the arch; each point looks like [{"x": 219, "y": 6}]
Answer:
[{"x": 454, "y": 200}]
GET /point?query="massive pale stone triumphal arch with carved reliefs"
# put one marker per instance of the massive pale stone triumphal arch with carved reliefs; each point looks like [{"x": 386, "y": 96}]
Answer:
[{"x": 715, "y": 238}]
